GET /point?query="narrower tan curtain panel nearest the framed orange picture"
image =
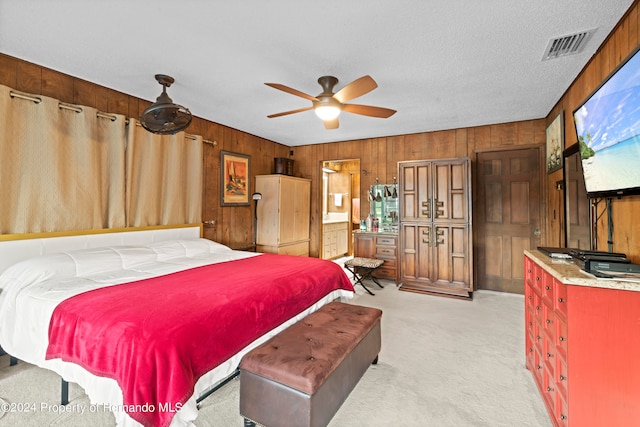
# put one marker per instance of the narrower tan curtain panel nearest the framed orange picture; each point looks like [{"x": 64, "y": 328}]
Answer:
[{"x": 164, "y": 177}]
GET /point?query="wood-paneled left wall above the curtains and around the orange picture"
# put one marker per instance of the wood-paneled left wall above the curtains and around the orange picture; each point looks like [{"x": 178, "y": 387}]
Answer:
[{"x": 228, "y": 225}]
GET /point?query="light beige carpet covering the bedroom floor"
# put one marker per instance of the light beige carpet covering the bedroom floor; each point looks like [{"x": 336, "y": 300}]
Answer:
[{"x": 444, "y": 363}]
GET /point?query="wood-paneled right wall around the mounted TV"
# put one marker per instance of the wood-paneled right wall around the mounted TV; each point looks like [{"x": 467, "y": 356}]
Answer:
[{"x": 626, "y": 211}]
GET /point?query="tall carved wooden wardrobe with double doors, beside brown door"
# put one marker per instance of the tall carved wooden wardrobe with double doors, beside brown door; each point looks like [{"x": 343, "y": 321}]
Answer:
[{"x": 435, "y": 231}]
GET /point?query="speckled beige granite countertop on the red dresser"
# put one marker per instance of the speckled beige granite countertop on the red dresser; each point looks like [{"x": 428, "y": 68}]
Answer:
[{"x": 566, "y": 271}]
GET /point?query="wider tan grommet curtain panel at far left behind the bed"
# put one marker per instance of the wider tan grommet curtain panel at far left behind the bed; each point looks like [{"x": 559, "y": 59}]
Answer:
[{"x": 59, "y": 169}]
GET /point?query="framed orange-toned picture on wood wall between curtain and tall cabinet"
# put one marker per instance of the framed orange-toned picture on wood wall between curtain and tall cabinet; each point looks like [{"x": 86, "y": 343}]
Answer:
[{"x": 234, "y": 179}]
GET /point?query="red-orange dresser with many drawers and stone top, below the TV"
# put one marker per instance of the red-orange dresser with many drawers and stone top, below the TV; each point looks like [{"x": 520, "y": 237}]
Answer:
[{"x": 582, "y": 343}]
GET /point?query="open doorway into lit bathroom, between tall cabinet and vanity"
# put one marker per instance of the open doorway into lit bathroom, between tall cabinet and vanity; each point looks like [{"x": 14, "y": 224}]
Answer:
[{"x": 340, "y": 206}]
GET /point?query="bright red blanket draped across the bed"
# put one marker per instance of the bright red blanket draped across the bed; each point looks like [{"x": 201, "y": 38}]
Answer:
[{"x": 156, "y": 337}]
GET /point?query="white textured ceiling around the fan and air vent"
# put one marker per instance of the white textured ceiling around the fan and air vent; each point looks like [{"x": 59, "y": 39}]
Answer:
[{"x": 441, "y": 64}]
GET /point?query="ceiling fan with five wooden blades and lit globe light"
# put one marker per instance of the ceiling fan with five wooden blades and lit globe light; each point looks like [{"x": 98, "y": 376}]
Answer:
[{"x": 328, "y": 105}]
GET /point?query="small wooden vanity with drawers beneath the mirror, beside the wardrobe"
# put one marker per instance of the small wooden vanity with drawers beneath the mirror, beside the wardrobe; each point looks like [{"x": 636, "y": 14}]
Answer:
[{"x": 379, "y": 245}]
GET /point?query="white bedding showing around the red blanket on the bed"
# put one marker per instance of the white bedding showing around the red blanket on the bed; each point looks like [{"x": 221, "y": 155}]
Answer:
[{"x": 30, "y": 290}]
